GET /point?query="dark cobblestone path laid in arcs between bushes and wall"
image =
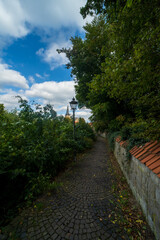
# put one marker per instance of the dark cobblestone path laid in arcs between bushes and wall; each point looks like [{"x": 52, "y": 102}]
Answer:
[{"x": 80, "y": 209}]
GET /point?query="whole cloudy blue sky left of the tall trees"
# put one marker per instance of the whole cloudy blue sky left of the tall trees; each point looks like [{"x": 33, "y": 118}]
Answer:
[{"x": 30, "y": 33}]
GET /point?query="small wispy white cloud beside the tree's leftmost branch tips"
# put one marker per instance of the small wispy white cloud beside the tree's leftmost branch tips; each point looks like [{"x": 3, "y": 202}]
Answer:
[{"x": 51, "y": 55}]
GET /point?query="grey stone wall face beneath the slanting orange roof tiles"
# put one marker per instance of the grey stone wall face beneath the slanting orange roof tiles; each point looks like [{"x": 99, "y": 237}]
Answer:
[{"x": 144, "y": 184}]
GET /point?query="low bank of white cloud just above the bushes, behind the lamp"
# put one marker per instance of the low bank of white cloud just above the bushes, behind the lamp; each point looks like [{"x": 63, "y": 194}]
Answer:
[{"x": 57, "y": 94}]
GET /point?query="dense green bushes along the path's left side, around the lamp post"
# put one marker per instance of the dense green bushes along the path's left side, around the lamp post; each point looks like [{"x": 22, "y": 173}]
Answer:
[{"x": 35, "y": 146}]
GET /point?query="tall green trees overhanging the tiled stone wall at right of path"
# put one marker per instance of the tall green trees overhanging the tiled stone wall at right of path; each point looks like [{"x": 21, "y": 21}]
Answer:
[{"x": 117, "y": 66}]
